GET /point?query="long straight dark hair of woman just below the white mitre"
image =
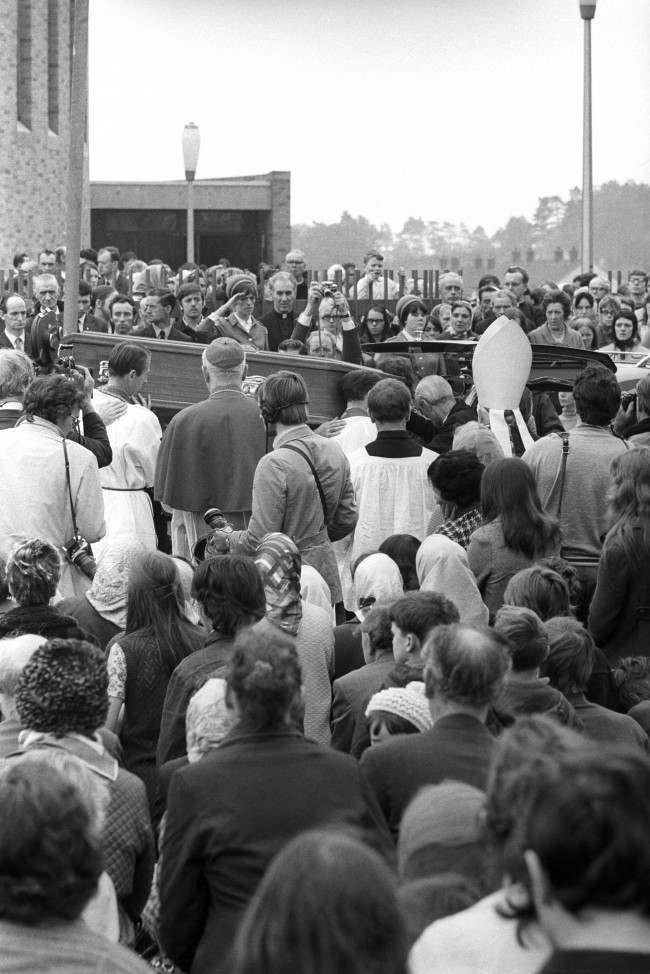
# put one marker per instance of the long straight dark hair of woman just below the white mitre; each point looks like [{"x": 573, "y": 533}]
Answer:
[{"x": 509, "y": 491}]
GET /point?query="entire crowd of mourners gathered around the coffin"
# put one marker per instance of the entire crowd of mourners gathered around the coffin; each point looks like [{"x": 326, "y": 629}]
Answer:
[{"x": 370, "y": 696}]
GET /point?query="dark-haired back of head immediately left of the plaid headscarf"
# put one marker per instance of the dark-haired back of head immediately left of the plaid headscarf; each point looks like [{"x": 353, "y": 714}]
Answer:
[{"x": 230, "y": 592}]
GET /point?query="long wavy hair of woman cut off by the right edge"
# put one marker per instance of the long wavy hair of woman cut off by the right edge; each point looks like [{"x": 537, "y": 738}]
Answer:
[{"x": 628, "y": 500}]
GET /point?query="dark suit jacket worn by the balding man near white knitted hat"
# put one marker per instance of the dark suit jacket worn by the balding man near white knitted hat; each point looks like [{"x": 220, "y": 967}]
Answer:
[{"x": 458, "y": 747}]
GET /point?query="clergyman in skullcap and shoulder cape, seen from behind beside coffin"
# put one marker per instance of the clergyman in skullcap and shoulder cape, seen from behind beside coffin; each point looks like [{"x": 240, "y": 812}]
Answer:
[{"x": 210, "y": 450}]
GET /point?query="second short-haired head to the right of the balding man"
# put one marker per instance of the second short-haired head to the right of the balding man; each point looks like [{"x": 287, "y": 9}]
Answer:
[{"x": 571, "y": 655}]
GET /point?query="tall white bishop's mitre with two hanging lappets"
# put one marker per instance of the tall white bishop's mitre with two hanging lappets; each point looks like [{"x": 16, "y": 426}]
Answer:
[{"x": 500, "y": 370}]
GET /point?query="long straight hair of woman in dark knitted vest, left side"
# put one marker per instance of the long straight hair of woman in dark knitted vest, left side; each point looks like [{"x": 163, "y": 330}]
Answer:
[{"x": 154, "y": 607}]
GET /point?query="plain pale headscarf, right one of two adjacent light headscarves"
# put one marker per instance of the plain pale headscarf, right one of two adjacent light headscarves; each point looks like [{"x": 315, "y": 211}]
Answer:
[{"x": 442, "y": 566}]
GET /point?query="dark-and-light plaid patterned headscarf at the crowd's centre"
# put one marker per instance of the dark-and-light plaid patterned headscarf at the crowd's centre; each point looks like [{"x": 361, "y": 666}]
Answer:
[{"x": 278, "y": 561}]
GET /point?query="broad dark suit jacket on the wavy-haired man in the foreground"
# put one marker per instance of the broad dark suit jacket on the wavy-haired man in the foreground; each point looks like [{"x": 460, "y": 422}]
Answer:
[{"x": 228, "y": 815}]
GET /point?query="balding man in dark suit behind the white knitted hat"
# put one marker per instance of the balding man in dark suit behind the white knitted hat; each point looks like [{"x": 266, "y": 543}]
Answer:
[{"x": 464, "y": 671}]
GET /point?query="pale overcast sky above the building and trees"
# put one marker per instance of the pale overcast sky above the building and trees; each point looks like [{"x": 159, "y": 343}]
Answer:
[{"x": 458, "y": 110}]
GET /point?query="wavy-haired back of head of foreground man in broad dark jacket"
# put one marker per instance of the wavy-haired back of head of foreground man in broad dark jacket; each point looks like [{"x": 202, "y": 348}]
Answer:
[{"x": 266, "y": 678}]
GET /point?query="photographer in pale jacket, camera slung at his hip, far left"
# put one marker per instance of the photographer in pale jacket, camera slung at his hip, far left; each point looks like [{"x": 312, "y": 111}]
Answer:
[{"x": 43, "y": 474}]
